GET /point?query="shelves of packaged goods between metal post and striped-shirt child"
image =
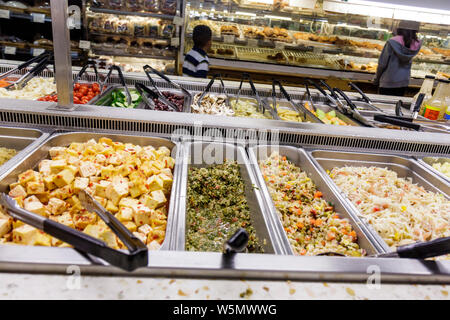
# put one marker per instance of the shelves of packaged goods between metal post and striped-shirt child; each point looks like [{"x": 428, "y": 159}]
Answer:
[{"x": 131, "y": 33}]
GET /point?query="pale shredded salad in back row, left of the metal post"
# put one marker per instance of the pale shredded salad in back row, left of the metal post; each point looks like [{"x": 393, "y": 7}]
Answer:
[{"x": 36, "y": 88}]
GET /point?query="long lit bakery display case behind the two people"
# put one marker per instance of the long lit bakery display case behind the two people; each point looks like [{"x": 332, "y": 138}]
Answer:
[{"x": 312, "y": 34}]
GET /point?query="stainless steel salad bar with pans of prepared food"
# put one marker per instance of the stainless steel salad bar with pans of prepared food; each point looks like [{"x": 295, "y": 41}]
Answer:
[{"x": 198, "y": 179}]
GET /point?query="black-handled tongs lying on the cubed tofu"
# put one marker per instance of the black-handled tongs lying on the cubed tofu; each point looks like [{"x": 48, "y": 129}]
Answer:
[{"x": 138, "y": 252}]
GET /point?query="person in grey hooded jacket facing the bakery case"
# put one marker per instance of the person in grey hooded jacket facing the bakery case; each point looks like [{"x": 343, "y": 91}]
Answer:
[{"x": 394, "y": 64}]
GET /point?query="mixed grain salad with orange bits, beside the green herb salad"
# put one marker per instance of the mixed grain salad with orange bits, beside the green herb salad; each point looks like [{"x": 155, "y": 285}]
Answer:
[{"x": 310, "y": 222}]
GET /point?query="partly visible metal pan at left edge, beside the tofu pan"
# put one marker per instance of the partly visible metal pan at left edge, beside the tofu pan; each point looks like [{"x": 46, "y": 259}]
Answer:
[{"x": 21, "y": 139}]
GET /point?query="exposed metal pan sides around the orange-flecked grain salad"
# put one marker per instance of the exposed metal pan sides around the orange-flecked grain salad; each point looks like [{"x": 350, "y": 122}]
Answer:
[{"x": 301, "y": 159}]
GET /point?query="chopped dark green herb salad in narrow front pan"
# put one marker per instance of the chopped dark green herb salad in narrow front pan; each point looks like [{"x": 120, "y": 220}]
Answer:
[{"x": 217, "y": 207}]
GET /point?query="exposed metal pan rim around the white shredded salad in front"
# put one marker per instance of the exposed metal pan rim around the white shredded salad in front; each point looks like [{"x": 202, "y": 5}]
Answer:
[{"x": 403, "y": 166}]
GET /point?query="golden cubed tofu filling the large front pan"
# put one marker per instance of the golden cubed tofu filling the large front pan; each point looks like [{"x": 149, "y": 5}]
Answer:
[{"x": 130, "y": 181}]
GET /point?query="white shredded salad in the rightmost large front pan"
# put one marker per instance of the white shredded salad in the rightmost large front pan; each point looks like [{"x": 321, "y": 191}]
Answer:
[{"x": 401, "y": 211}]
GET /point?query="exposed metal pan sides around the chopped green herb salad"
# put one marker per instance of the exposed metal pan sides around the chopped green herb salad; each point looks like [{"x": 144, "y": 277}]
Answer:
[{"x": 202, "y": 154}]
